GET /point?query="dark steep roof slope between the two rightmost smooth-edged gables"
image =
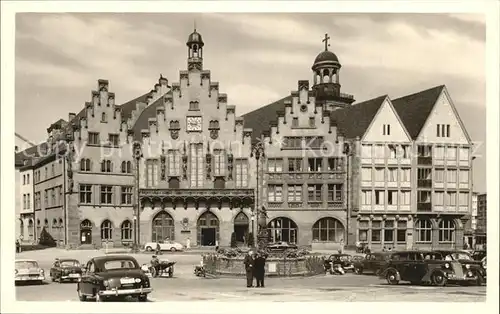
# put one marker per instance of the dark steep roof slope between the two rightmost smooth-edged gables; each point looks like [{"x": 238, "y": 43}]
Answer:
[{"x": 414, "y": 109}]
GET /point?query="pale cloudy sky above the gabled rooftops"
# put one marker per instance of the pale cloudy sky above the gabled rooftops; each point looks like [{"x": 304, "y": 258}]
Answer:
[{"x": 257, "y": 58}]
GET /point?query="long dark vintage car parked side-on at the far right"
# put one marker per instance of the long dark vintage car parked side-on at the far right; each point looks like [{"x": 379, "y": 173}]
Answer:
[{"x": 416, "y": 268}]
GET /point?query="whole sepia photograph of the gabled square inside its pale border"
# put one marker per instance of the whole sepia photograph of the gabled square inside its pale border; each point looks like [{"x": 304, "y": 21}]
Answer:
[{"x": 257, "y": 157}]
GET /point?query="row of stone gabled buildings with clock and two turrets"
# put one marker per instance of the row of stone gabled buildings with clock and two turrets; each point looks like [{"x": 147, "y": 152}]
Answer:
[{"x": 178, "y": 163}]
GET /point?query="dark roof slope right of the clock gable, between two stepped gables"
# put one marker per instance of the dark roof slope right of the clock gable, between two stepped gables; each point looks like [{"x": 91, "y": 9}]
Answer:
[{"x": 260, "y": 119}]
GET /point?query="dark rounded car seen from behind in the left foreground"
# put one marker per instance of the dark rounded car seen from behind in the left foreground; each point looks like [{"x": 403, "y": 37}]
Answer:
[{"x": 113, "y": 276}]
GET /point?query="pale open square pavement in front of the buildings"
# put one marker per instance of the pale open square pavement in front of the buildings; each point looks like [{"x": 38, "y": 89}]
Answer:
[{"x": 186, "y": 287}]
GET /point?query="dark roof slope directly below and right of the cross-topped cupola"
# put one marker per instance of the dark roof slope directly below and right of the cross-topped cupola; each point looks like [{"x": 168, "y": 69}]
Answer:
[{"x": 353, "y": 121}]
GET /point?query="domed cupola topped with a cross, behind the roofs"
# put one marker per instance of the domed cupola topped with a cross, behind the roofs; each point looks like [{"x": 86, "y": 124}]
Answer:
[{"x": 326, "y": 71}]
